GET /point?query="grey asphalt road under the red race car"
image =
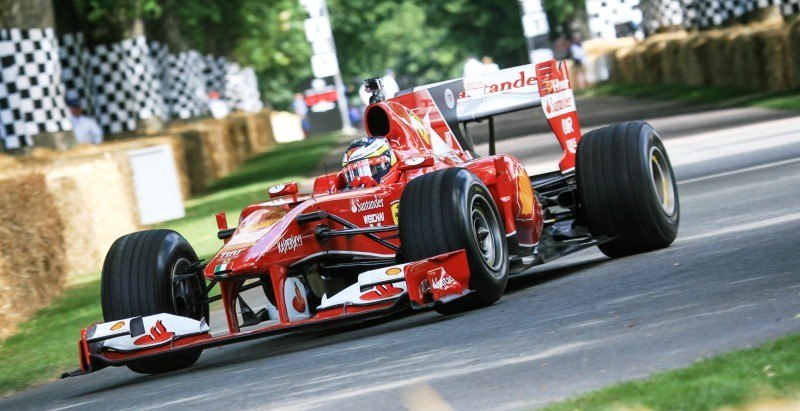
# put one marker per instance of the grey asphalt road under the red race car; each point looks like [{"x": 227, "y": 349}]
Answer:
[{"x": 731, "y": 280}]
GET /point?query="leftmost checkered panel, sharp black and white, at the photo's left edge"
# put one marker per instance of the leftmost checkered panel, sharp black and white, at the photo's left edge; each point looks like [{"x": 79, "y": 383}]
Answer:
[{"x": 31, "y": 93}]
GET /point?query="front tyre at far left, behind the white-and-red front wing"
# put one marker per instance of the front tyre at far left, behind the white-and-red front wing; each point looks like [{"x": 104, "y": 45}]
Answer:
[{"x": 137, "y": 281}]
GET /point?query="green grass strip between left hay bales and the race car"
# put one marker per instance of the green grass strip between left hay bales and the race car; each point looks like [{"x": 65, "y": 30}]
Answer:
[{"x": 46, "y": 345}]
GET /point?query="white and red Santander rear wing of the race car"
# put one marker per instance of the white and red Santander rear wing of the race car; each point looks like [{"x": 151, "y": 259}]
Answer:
[{"x": 545, "y": 85}]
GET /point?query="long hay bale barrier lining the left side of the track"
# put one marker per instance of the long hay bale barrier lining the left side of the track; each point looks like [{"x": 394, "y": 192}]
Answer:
[{"x": 62, "y": 210}]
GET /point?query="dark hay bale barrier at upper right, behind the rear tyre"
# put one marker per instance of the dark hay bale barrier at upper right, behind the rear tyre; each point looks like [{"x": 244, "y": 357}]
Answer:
[{"x": 760, "y": 56}]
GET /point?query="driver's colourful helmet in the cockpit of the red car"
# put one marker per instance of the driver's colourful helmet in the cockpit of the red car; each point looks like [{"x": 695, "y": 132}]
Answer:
[{"x": 368, "y": 156}]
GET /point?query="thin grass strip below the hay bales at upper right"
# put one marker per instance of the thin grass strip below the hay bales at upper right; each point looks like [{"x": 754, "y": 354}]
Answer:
[{"x": 788, "y": 100}]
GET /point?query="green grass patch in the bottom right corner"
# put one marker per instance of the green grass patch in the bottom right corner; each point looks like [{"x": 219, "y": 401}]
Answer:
[{"x": 771, "y": 371}]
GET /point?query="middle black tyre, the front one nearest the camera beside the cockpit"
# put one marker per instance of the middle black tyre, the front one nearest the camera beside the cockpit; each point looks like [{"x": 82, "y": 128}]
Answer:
[{"x": 449, "y": 210}]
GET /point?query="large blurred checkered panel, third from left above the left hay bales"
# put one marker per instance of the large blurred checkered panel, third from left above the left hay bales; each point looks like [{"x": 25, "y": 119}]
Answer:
[{"x": 125, "y": 84}]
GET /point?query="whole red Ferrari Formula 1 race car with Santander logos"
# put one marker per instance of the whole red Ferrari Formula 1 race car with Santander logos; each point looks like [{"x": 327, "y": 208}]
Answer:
[{"x": 415, "y": 220}]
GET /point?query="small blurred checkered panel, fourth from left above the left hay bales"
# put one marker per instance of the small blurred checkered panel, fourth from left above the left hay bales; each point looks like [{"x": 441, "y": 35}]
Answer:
[{"x": 185, "y": 91}]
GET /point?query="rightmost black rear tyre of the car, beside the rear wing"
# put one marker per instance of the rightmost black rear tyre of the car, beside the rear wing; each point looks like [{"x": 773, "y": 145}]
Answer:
[{"x": 627, "y": 189}]
